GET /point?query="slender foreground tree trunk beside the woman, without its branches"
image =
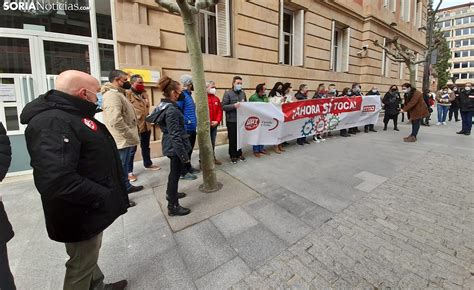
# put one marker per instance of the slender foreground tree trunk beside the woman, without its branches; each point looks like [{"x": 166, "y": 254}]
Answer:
[{"x": 206, "y": 154}]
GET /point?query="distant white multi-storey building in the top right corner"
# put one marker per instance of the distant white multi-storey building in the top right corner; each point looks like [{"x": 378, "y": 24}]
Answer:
[{"x": 457, "y": 24}]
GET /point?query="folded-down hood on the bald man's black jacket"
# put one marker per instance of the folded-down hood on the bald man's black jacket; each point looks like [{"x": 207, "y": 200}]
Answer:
[{"x": 57, "y": 100}]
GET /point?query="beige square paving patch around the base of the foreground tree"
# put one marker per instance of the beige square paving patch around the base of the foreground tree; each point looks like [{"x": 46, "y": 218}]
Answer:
[{"x": 205, "y": 205}]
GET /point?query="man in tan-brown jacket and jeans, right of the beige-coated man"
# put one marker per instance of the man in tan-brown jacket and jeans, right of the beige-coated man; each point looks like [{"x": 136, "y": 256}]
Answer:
[{"x": 140, "y": 101}]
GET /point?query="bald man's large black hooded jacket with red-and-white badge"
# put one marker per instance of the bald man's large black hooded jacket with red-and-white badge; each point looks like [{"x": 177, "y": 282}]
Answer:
[{"x": 76, "y": 166}]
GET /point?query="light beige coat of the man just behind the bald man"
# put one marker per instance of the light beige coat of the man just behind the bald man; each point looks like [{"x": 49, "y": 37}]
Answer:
[{"x": 119, "y": 117}]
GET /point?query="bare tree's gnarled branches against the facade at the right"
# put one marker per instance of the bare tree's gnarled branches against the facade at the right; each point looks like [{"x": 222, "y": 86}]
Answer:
[{"x": 400, "y": 53}]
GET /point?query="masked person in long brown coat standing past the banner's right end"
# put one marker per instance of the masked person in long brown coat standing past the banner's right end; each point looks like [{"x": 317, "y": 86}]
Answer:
[{"x": 416, "y": 108}]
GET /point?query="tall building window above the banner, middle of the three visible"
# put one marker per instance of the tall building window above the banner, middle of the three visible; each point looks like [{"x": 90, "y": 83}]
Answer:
[{"x": 291, "y": 36}]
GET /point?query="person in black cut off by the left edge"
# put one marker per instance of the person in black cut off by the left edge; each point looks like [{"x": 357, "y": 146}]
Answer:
[{"x": 6, "y": 231}]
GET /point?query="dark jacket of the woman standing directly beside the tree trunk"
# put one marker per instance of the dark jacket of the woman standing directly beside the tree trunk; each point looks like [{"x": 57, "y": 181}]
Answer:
[{"x": 175, "y": 140}]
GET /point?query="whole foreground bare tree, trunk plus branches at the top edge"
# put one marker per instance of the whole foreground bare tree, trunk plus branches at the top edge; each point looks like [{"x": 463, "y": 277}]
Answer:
[{"x": 189, "y": 11}]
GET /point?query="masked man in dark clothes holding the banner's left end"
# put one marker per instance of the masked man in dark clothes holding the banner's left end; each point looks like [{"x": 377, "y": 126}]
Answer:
[{"x": 230, "y": 103}]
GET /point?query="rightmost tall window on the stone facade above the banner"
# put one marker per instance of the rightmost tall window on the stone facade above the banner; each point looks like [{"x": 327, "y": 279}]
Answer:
[{"x": 340, "y": 47}]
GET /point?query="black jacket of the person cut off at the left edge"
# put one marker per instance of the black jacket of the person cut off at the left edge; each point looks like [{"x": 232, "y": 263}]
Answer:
[{"x": 6, "y": 231}]
